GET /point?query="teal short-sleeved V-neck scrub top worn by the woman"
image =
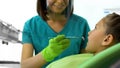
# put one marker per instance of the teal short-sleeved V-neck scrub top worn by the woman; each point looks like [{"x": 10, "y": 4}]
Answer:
[{"x": 37, "y": 32}]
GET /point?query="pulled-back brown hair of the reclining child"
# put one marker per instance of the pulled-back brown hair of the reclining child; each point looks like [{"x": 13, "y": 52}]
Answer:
[{"x": 113, "y": 26}]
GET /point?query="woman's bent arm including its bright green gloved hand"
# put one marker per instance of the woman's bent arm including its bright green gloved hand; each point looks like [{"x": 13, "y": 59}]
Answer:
[{"x": 55, "y": 47}]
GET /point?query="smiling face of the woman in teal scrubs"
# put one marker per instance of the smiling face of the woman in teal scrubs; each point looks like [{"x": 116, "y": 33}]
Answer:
[{"x": 57, "y": 6}]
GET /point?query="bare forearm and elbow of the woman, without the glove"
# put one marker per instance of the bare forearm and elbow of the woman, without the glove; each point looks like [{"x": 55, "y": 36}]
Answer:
[{"x": 30, "y": 61}]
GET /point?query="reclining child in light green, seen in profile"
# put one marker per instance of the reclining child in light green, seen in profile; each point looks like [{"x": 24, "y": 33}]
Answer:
[{"x": 105, "y": 35}]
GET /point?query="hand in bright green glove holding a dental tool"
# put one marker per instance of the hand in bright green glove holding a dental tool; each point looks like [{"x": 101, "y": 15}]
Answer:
[{"x": 56, "y": 46}]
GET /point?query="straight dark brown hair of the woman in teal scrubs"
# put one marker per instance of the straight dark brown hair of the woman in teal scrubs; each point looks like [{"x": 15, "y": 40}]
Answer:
[{"x": 42, "y": 9}]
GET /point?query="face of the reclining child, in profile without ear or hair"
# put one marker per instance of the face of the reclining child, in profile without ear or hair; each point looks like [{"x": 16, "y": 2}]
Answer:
[{"x": 96, "y": 38}]
